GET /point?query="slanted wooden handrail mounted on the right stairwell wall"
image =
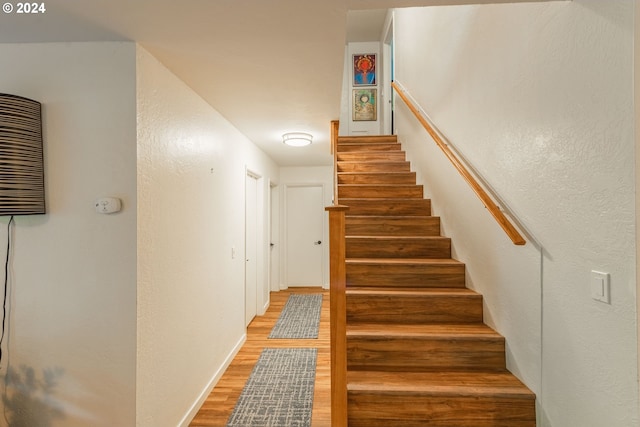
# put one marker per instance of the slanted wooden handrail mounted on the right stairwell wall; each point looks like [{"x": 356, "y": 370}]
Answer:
[{"x": 494, "y": 210}]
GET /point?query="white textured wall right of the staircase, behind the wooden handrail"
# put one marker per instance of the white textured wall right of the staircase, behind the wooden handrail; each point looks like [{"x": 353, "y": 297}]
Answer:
[{"x": 540, "y": 98}]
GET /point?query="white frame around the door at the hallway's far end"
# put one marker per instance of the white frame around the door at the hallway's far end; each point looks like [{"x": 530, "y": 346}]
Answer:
[{"x": 285, "y": 231}]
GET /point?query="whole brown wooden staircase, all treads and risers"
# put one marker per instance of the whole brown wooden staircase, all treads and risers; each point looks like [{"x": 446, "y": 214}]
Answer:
[{"x": 418, "y": 352}]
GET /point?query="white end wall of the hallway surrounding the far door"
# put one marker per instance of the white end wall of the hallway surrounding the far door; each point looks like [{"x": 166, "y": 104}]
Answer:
[{"x": 306, "y": 175}]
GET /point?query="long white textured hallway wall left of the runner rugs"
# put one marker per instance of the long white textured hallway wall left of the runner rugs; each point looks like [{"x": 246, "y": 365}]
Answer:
[{"x": 191, "y": 175}]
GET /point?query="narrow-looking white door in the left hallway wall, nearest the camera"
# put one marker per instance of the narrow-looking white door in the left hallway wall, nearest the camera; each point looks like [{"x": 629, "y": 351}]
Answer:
[{"x": 251, "y": 249}]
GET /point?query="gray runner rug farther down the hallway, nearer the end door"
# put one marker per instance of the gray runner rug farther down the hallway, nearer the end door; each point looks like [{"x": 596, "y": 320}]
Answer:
[{"x": 300, "y": 317}]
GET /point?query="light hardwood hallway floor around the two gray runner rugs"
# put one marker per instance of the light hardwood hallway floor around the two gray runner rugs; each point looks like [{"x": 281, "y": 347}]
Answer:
[{"x": 218, "y": 407}]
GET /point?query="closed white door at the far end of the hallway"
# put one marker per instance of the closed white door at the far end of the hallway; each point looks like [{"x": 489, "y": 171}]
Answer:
[{"x": 304, "y": 230}]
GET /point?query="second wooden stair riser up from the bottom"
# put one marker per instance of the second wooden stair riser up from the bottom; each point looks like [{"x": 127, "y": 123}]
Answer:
[{"x": 421, "y": 354}]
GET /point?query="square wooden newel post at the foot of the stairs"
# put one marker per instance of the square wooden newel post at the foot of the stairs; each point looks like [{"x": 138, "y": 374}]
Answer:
[{"x": 338, "y": 282}]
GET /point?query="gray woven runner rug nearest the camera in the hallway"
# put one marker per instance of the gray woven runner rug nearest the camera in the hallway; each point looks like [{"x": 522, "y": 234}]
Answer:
[{"x": 279, "y": 391}]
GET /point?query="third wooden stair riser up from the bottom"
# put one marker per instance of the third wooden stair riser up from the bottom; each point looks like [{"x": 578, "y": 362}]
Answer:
[{"x": 414, "y": 309}]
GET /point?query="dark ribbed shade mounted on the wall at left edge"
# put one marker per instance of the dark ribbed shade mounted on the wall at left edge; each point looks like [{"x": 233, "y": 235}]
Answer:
[{"x": 21, "y": 156}]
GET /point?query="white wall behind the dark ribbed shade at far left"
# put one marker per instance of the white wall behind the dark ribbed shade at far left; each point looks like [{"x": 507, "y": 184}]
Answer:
[{"x": 73, "y": 272}]
